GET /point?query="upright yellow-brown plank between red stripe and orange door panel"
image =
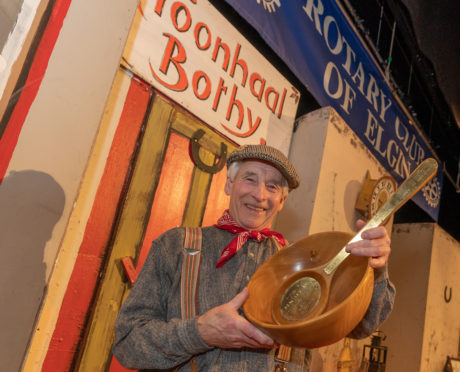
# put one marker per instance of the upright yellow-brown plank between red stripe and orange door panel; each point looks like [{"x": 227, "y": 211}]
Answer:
[{"x": 128, "y": 238}]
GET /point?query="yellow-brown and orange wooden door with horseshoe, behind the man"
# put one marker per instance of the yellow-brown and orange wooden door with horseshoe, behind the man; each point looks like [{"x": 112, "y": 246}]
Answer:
[{"x": 168, "y": 188}]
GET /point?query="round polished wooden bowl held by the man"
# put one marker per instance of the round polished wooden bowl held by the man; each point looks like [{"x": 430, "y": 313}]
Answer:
[{"x": 350, "y": 292}]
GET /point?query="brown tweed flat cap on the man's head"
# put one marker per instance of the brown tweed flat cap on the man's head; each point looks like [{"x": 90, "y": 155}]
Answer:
[{"x": 270, "y": 155}]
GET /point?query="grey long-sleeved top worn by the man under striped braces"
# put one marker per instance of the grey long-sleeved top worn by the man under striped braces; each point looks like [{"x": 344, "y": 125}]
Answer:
[{"x": 149, "y": 331}]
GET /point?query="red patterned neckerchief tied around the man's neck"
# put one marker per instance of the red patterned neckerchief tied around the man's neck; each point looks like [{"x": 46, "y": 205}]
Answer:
[{"x": 226, "y": 222}]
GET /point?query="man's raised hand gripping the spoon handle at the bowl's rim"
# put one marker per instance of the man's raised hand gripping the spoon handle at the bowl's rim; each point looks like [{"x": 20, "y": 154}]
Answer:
[{"x": 375, "y": 243}]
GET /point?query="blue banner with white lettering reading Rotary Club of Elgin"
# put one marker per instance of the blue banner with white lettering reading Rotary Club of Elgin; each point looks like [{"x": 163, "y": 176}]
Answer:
[{"x": 317, "y": 42}]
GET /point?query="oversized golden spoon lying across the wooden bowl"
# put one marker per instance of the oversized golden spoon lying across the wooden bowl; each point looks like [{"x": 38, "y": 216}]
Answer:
[{"x": 305, "y": 294}]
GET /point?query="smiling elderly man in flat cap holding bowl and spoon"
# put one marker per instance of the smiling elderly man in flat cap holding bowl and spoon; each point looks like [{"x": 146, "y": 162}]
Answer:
[{"x": 150, "y": 332}]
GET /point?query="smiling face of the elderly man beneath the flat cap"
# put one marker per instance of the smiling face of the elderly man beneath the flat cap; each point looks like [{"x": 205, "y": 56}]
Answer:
[{"x": 256, "y": 195}]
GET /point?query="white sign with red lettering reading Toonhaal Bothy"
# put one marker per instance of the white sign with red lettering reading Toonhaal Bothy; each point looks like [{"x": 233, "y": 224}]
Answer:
[{"x": 190, "y": 52}]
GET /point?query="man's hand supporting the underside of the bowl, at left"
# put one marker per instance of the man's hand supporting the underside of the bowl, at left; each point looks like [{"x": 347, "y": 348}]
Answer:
[{"x": 223, "y": 327}]
